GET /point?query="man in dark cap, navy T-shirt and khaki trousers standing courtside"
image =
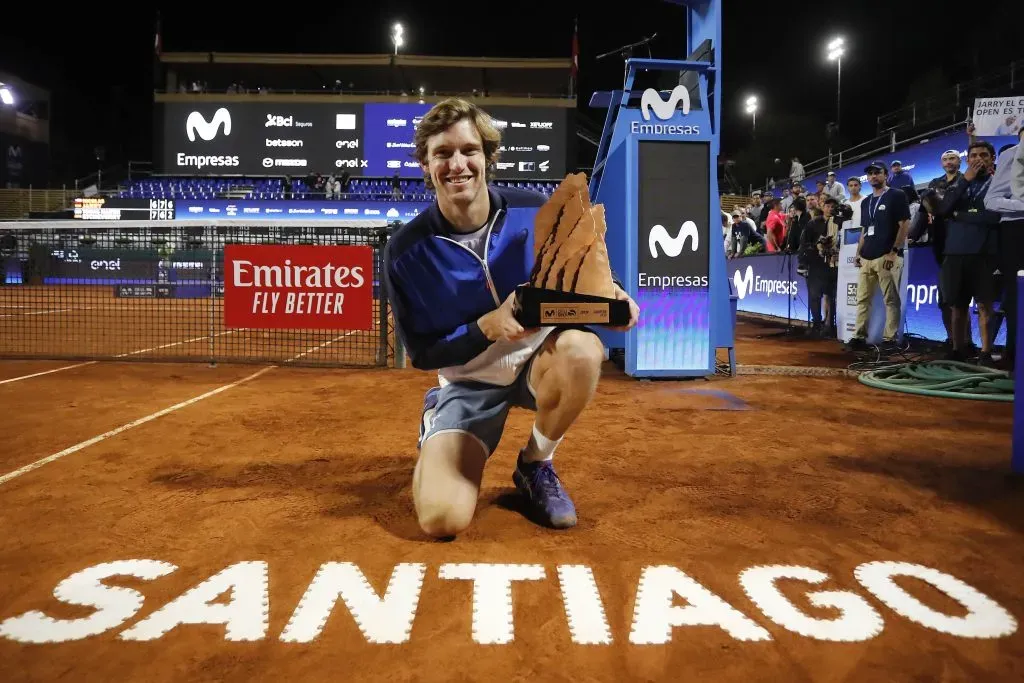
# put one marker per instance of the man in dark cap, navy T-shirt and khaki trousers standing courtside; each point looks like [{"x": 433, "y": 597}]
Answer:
[{"x": 880, "y": 254}]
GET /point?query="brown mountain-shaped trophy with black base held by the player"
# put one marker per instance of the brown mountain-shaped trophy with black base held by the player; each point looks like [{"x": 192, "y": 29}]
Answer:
[{"x": 571, "y": 283}]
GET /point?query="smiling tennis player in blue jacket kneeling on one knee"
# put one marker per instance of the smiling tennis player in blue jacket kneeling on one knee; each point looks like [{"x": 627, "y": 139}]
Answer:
[{"x": 451, "y": 275}]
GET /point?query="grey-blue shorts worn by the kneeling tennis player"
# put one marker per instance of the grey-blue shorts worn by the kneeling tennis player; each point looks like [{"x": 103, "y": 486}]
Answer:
[{"x": 476, "y": 408}]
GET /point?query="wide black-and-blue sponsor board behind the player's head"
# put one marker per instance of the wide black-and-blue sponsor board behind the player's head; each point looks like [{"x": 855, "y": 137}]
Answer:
[{"x": 370, "y": 140}]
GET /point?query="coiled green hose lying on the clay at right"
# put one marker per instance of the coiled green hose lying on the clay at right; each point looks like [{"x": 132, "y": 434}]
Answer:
[{"x": 948, "y": 379}]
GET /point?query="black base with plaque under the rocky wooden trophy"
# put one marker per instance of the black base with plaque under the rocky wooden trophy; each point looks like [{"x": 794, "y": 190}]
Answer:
[{"x": 537, "y": 308}]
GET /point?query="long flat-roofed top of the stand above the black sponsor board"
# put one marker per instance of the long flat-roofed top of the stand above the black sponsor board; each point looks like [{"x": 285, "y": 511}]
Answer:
[{"x": 372, "y": 76}]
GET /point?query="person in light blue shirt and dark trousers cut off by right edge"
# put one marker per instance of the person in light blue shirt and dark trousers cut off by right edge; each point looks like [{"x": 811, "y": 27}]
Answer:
[{"x": 1001, "y": 200}]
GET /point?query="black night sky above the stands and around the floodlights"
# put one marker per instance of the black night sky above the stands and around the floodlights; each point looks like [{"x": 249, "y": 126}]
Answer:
[{"x": 99, "y": 66}]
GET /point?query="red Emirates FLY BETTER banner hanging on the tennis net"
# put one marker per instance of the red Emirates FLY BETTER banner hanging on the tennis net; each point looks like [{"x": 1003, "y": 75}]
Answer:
[{"x": 298, "y": 287}]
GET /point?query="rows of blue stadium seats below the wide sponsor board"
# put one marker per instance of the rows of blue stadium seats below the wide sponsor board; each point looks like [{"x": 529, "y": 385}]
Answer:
[{"x": 272, "y": 189}]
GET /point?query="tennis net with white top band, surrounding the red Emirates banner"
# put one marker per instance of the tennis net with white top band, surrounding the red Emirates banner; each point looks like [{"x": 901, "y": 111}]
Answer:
[{"x": 152, "y": 291}]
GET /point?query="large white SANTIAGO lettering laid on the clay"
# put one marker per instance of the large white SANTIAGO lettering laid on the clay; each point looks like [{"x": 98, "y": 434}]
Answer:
[{"x": 668, "y": 605}]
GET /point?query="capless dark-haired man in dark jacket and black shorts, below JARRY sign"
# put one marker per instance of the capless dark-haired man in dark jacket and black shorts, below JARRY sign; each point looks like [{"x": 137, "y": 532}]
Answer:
[{"x": 972, "y": 241}]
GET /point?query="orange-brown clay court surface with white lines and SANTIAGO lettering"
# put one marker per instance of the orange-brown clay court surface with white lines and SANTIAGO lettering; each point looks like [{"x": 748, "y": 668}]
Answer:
[{"x": 261, "y": 525}]
